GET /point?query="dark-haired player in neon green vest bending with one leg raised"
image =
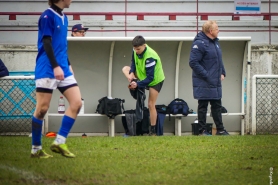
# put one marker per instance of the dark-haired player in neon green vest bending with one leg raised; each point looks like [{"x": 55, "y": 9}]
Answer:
[{"x": 146, "y": 68}]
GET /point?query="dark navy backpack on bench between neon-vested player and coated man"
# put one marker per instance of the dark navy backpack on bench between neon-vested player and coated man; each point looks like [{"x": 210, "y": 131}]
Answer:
[{"x": 178, "y": 106}]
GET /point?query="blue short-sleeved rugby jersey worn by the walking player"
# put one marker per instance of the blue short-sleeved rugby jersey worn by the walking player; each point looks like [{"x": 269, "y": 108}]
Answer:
[{"x": 54, "y": 25}]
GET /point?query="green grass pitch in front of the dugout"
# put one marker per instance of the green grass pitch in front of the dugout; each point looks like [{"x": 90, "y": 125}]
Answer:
[{"x": 168, "y": 160}]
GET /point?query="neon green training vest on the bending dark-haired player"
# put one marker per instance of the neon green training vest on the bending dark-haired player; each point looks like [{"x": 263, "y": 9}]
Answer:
[{"x": 140, "y": 64}]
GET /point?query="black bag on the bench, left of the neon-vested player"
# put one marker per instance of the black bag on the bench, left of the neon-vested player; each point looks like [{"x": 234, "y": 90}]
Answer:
[{"x": 110, "y": 107}]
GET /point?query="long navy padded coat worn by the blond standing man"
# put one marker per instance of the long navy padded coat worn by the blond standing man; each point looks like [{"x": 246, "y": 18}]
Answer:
[{"x": 207, "y": 67}]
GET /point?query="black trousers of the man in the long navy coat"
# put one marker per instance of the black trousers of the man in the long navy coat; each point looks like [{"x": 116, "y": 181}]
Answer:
[{"x": 215, "y": 111}]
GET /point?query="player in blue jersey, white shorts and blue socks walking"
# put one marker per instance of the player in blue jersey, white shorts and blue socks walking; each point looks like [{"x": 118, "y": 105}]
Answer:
[{"x": 52, "y": 71}]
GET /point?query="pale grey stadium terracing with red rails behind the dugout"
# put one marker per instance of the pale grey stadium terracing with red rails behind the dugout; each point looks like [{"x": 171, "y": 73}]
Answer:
[{"x": 24, "y": 28}]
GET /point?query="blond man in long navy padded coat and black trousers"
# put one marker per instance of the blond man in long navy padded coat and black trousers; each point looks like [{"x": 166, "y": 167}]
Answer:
[{"x": 207, "y": 73}]
